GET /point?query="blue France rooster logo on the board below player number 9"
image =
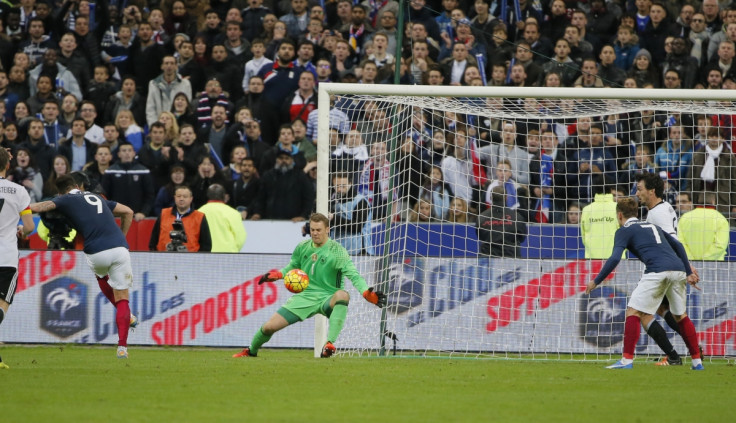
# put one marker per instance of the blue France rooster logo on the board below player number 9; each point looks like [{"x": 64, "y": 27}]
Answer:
[{"x": 64, "y": 307}]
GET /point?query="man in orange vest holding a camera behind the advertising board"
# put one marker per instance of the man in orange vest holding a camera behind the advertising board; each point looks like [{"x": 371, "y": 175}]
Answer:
[{"x": 181, "y": 228}]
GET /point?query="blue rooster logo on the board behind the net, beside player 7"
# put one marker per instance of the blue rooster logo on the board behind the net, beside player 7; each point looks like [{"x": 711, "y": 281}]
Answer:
[{"x": 603, "y": 316}]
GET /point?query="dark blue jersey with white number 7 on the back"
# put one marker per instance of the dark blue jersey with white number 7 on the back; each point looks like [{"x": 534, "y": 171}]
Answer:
[{"x": 657, "y": 249}]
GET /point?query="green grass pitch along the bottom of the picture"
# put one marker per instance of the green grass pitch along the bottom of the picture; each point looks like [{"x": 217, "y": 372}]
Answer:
[{"x": 88, "y": 384}]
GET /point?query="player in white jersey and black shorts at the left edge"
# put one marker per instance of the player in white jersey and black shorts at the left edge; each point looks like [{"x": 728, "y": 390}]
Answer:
[{"x": 14, "y": 202}]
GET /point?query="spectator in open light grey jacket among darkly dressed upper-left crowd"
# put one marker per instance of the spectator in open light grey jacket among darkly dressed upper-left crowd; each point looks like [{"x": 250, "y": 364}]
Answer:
[{"x": 163, "y": 89}]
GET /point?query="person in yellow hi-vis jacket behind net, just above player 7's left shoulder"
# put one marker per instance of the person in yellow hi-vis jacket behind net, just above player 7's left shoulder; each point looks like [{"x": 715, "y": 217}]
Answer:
[{"x": 598, "y": 224}]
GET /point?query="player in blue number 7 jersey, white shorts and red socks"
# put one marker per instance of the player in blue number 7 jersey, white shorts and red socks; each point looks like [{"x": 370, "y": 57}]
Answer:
[{"x": 667, "y": 270}]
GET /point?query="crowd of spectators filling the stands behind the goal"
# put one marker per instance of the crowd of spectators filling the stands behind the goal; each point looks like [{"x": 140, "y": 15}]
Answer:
[{"x": 145, "y": 96}]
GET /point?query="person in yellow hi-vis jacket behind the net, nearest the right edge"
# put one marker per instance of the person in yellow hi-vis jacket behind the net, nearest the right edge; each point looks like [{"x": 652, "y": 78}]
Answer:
[{"x": 704, "y": 231}]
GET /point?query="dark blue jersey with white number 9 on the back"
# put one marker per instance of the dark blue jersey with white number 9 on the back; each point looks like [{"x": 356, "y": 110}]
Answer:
[{"x": 91, "y": 215}]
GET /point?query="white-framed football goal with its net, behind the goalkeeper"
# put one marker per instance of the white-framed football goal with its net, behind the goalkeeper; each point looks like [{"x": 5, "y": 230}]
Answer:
[{"x": 468, "y": 207}]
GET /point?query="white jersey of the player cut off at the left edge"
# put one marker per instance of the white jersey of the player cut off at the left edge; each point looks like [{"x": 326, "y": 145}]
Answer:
[{"x": 13, "y": 200}]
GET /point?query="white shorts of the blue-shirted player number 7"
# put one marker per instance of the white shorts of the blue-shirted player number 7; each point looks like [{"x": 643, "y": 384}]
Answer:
[{"x": 652, "y": 288}]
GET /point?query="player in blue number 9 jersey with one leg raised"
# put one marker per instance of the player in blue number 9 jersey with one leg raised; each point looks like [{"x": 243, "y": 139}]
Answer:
[{"x": 104, "y": 245}]
